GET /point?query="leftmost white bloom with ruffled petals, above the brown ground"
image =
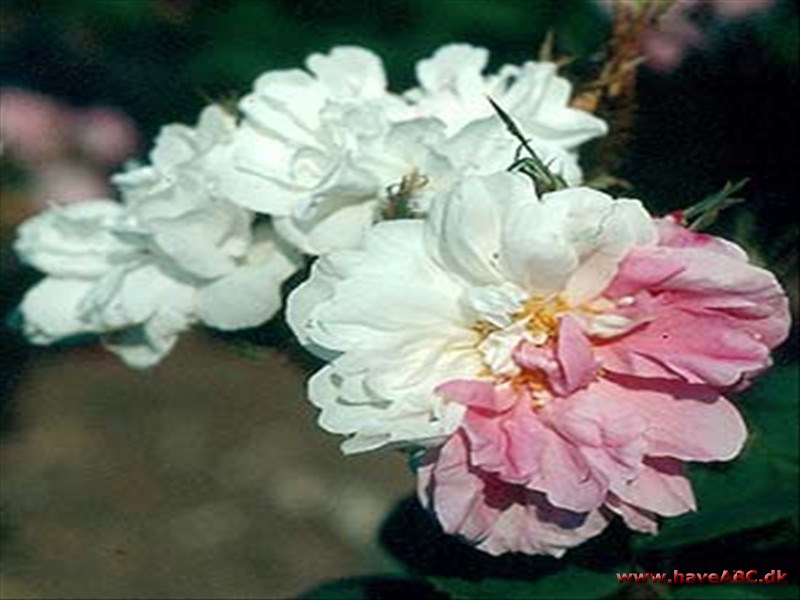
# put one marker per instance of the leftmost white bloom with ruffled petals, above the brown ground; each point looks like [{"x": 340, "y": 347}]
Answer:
[{"x": 175, "y": 251}]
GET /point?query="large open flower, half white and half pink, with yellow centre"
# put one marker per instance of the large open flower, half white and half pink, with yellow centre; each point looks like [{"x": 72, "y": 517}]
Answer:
[{"x": 545, "y": 352}]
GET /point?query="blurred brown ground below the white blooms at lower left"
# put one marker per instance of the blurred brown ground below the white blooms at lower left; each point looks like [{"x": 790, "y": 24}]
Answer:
[{"x": 204, "y": 477}]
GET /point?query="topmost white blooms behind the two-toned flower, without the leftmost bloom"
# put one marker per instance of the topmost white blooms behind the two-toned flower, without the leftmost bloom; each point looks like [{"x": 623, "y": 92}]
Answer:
[{"x": 318, "y": 149}]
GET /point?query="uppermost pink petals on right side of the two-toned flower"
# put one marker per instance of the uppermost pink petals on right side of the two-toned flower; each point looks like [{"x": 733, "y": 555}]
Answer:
[{"x": 714, "y": 316}]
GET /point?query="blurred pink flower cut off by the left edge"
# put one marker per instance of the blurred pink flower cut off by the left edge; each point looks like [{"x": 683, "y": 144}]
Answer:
[{"x": 33, "y": 127}]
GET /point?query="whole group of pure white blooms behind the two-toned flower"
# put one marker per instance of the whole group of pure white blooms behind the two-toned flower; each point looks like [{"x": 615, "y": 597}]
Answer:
[{"x": 220, "y": 218}]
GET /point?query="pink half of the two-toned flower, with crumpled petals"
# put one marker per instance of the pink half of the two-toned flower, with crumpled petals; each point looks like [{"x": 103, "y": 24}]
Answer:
[{"x": 597, "y": 422}]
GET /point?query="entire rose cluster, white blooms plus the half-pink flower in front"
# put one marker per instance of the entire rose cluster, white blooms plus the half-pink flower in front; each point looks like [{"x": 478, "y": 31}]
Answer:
[{"x": 549, "y": 358}]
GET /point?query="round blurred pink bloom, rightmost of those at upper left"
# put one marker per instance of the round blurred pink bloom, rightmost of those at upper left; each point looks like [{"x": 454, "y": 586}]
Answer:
[{"x": 106, "y": 135}]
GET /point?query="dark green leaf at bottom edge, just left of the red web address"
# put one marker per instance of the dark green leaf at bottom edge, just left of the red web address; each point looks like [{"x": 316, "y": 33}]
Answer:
[{"x": 572, "y": 582}]
